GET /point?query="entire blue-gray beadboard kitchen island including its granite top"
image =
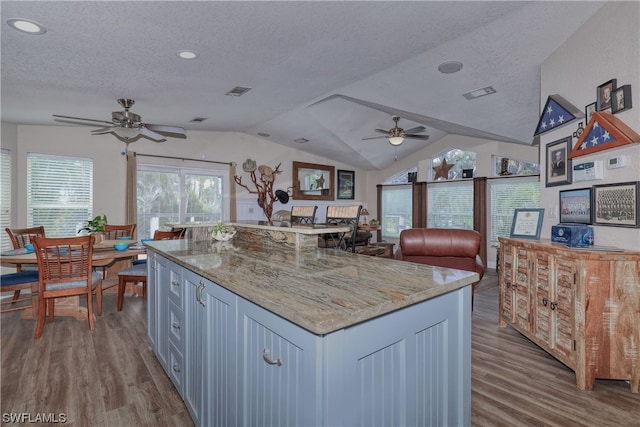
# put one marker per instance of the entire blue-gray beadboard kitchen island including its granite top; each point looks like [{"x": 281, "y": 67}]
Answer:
[{"x": 254, "y": 336}]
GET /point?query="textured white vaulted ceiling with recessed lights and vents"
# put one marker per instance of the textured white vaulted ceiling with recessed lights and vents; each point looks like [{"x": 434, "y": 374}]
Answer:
[{"x": 331, "y": 72}]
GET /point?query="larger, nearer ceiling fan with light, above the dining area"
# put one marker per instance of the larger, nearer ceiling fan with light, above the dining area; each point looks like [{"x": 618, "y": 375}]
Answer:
[{"x": 128, "y": 126}]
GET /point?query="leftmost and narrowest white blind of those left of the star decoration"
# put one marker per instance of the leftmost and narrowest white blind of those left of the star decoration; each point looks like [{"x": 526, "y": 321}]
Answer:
[{"x": 396, "y": 210}]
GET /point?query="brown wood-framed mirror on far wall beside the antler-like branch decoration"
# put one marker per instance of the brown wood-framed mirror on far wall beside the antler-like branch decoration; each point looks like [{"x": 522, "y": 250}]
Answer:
[{"x": 313, "y": 182}]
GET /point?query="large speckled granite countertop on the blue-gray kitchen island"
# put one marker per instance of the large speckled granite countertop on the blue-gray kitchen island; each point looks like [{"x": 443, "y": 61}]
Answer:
[{"x": 321, "y": 290}]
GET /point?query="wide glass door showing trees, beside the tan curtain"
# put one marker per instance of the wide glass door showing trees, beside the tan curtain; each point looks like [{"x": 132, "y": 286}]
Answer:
[{"x": 177, "y": 195}]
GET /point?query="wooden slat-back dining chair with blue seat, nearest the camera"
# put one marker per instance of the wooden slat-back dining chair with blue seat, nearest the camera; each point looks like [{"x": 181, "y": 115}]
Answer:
[{"x": 65, "y": 269}]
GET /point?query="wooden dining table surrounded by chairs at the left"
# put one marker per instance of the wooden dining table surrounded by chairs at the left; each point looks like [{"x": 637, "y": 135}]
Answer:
[{"x": 104, "y": 256}]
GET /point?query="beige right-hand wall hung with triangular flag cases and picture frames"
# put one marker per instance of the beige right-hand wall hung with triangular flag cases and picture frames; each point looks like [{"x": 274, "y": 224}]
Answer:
[{"x": 606, "y": 47}]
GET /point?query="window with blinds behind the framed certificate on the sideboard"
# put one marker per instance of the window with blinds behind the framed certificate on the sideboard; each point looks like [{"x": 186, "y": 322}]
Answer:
[{"x": 506, "y": 196}]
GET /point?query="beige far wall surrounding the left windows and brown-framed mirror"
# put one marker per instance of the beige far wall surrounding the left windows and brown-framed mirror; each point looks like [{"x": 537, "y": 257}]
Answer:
[{"x": 110, "y": 164}]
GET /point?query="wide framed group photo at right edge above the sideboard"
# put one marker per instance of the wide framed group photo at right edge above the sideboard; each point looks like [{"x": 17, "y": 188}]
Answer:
[{"x": 616, "y": 204}]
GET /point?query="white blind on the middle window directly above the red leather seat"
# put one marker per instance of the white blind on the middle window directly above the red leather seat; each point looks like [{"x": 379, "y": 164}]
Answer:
[{"x": 450, "y": 205}]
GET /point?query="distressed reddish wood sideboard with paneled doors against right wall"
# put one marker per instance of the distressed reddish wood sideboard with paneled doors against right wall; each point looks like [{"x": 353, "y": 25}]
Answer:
[{"x": 581, "y": 306}]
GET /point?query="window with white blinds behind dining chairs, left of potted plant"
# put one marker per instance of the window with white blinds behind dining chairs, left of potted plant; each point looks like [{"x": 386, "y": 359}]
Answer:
[{"x": 59, "y": 193}]
